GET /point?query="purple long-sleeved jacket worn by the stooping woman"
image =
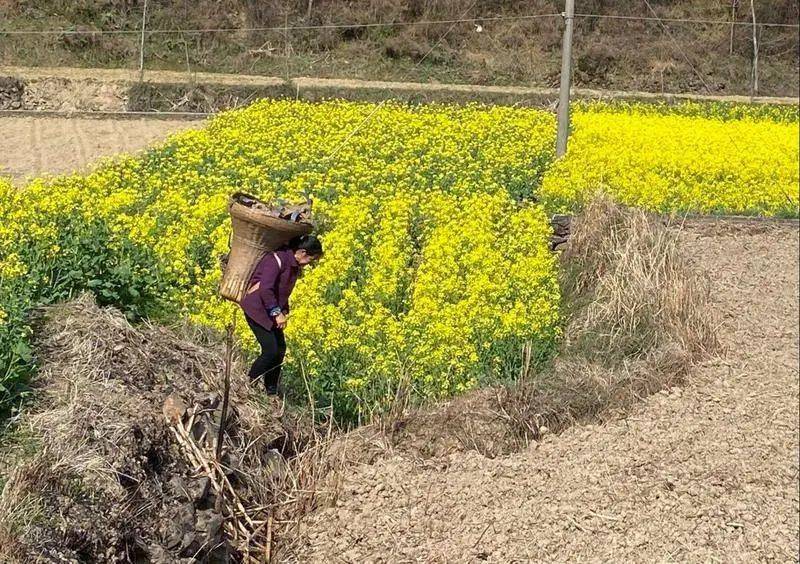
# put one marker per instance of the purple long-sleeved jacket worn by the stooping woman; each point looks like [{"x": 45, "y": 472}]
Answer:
[{"x": 275, "y": 284}]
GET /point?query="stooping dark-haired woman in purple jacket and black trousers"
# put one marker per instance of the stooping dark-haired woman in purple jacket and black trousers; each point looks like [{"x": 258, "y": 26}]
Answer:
[{"x": 266, "y": 304}]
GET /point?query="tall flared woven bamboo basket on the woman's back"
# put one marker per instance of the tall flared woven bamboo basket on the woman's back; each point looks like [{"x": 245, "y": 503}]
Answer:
[{"x": 254, "y": 234}]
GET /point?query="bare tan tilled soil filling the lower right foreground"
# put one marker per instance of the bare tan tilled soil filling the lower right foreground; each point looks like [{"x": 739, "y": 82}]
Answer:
[{"x": 707, "y": 473}]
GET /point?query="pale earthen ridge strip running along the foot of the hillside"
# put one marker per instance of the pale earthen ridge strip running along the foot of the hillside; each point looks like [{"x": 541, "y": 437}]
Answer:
[{"x": 65, "y": 95}]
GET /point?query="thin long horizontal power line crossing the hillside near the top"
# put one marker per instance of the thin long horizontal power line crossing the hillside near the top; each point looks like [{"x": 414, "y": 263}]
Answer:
[{"x": 383, "y": 24}]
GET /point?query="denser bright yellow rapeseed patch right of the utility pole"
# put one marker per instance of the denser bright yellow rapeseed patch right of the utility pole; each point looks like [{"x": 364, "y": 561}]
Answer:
[{"x": 693, "y": 160}]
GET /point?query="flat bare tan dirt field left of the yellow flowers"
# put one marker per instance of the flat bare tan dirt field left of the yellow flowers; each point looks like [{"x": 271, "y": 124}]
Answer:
[{"x": 31, "y": 146}]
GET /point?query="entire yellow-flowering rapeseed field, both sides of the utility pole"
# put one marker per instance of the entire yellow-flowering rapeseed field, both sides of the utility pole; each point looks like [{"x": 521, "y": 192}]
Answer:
[{"x": 434, "y": 219}]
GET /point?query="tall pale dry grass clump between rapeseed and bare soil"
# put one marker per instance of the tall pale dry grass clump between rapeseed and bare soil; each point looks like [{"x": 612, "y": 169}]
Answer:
[{"x": 638, "y": 294}]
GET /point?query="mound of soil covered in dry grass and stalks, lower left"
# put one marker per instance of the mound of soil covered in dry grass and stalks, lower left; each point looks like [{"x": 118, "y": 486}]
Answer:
[{"x": 110, "y": 478}]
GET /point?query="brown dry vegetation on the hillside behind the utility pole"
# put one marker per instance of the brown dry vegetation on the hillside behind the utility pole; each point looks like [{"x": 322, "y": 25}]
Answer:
[{"x": 610, "y": 54}]
